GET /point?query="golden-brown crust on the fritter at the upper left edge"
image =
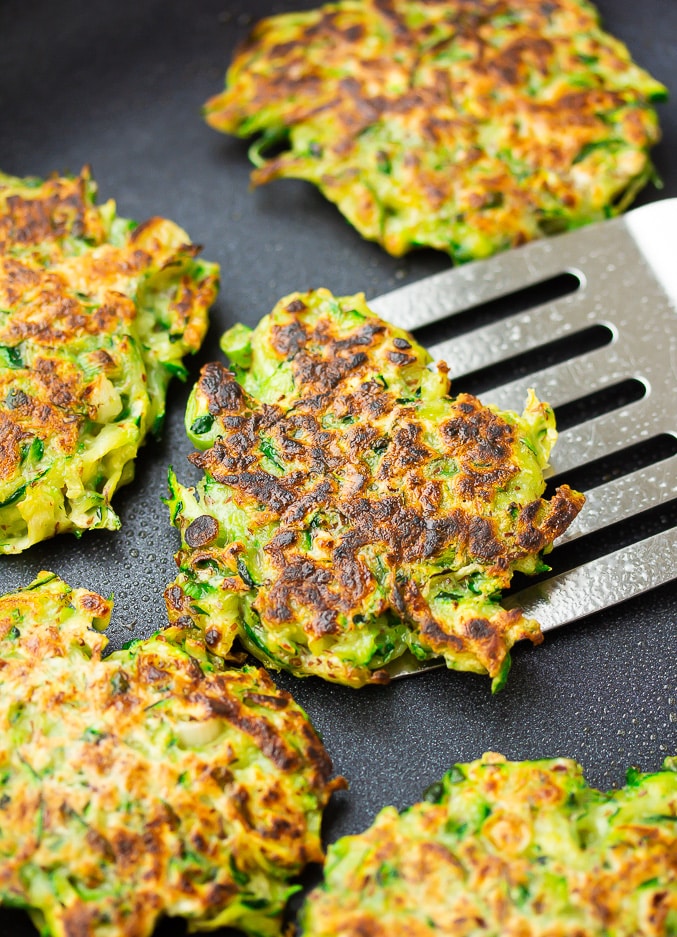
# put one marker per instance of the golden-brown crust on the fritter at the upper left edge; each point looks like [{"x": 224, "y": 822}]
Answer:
[{"x": 49, "y": 315}]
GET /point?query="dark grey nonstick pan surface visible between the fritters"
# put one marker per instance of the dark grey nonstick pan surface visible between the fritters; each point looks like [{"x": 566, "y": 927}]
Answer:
[{"x": 119, "y": 85}]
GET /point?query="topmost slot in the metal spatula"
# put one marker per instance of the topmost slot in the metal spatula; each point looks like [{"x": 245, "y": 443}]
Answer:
[{"x": 478, "y": 315}]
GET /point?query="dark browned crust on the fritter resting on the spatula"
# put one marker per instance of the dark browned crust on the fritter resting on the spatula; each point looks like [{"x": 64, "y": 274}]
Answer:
[{"x": 404, "y": 521}]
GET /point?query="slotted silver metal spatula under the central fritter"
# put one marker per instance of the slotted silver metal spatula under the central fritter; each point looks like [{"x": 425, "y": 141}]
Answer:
[{"x": 624, "y": 274}]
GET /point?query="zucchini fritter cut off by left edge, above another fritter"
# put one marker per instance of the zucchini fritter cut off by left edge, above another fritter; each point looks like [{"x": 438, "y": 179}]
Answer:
[{"x": 96, "y": 314}]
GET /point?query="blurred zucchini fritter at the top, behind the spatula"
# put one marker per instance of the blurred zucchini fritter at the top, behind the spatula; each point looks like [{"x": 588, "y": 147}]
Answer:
[{"x": 464, "y": 125}]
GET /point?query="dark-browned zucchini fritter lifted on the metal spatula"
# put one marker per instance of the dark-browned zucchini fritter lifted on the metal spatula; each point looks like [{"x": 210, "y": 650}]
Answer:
[{"x": 351, "y": 510}]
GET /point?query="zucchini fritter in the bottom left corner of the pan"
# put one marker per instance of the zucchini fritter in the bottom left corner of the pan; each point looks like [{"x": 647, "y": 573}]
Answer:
[{"x": 146, "y": 783}]
